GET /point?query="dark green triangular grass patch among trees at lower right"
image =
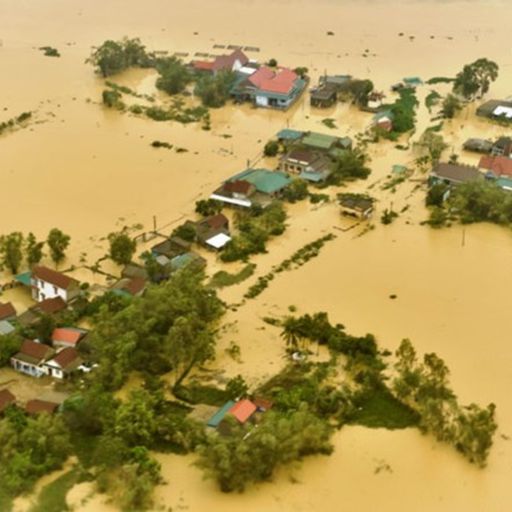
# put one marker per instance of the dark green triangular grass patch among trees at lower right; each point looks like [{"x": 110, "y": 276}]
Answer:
[{"x": 380, "y": 409}]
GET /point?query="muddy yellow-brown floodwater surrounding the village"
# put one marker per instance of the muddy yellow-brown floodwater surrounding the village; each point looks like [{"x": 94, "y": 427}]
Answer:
[{"x": 90, "y": 171}]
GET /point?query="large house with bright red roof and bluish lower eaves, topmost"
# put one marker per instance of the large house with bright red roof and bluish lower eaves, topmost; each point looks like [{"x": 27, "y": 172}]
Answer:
[{"x": 270, "y": 87}]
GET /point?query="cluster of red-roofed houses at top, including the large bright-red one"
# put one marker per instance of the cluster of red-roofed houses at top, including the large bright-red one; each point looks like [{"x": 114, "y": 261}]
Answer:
[{"x": 265, "y": 86}]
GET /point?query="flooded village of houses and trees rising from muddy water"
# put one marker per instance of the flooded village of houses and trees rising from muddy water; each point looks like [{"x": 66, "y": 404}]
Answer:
[{"x": 99, "y": 378}]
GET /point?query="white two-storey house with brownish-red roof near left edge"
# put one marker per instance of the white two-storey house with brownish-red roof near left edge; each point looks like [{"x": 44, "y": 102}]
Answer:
[{"x": 48, "y": 284}]
